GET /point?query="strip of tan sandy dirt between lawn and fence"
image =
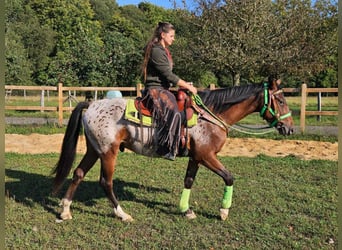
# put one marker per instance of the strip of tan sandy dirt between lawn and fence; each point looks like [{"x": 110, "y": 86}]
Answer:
[{"x": 249, "y": 147}]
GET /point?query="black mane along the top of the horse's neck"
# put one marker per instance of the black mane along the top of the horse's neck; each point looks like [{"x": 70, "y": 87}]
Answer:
[{"x": 221, "y": 99}]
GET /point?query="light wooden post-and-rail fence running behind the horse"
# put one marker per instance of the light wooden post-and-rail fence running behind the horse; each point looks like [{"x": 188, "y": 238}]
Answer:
[{"x": 137, "y": 90}]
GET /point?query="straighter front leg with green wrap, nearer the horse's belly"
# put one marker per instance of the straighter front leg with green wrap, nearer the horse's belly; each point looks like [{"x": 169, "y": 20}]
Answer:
[{"x": 188, "y": 181}]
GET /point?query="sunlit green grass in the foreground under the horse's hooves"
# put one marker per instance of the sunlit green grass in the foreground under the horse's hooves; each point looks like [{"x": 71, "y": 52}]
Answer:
[{"x": 278, "y": 203}]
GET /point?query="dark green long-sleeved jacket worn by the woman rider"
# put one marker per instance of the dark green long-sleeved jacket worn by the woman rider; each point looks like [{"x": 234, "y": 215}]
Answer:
[{"x": 159, "y": 69}]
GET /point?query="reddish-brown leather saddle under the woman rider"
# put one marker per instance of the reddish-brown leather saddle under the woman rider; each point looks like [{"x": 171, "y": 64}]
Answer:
[{"x": 184, "y": 103}]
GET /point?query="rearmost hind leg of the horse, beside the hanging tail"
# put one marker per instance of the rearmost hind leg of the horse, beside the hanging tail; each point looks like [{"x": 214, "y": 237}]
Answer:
[{"x": 84, "y": 166}]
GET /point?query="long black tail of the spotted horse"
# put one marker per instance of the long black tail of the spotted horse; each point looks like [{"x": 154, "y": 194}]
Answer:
[{"x": 68, "y": 152}]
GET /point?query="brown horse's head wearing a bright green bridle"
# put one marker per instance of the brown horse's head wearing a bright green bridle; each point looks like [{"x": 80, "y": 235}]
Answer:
[{"x": 275, "y": 110}]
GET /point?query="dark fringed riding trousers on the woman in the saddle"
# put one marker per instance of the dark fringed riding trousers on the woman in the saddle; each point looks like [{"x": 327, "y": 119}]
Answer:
[{"x": 167, "y": 119}]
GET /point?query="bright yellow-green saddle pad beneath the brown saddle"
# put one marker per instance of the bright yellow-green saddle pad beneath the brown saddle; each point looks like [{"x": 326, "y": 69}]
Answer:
[{"x": 132, "y": 114}]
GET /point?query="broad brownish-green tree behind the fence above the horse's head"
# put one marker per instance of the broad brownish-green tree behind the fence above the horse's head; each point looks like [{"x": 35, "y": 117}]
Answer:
[{"x": 253, "y": 39}]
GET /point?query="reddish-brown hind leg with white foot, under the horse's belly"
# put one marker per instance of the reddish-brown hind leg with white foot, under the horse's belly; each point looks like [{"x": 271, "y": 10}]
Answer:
[{"x": 106, "y": 181}]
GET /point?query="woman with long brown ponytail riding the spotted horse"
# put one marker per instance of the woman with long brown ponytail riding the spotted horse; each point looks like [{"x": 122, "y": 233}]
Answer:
[{"x": 158, "y": 77}]
